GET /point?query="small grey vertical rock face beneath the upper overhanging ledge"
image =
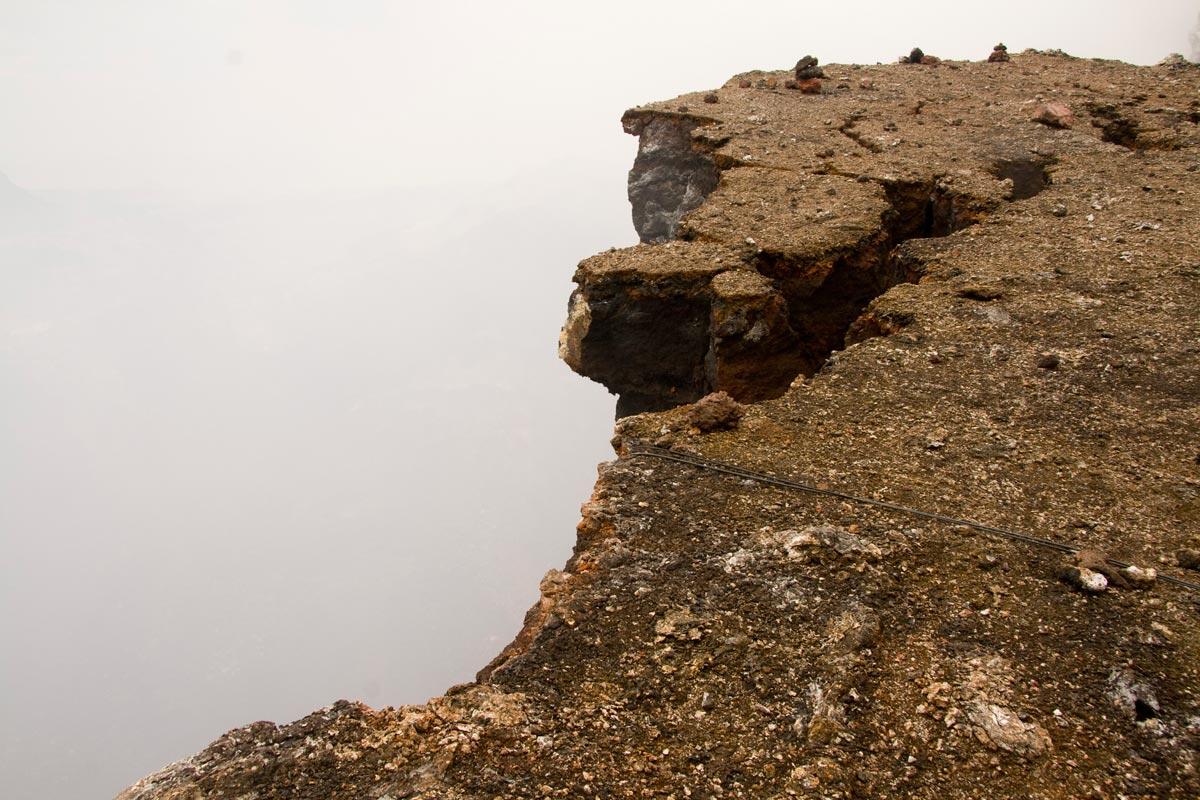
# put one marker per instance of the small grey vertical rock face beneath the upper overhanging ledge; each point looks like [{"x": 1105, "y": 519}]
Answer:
[{"x": 671, "y": 175}]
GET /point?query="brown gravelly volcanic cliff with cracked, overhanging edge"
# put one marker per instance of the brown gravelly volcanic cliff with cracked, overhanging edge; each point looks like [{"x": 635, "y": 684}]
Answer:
[{"x": 883, "y": 272}]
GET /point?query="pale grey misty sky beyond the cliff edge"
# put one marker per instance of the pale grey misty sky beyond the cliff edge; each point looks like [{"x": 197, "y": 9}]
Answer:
[{"x": 281, "y": 419}]
